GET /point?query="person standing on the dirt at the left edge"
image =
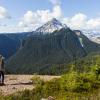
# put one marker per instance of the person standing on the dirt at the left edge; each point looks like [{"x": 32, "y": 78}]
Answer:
[{"x": 2, "y": 70}]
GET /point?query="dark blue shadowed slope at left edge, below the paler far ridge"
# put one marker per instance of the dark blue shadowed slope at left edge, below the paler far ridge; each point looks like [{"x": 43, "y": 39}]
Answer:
[{"x": 8, "y": 46}]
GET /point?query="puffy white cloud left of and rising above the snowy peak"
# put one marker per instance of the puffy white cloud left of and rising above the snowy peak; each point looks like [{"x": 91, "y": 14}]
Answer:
[{"x": 40, "y": 17}]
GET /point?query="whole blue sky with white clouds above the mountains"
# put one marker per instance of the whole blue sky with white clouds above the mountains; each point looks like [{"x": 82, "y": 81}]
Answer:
[{"x": 27, "y": 15}]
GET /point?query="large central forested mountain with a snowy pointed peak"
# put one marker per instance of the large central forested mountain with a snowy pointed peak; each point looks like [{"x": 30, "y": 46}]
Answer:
[{"x": 44, "y": 50}]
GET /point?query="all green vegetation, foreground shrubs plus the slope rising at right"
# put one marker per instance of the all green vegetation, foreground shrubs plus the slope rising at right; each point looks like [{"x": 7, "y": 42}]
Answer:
[{"x": 74, "y": 85}]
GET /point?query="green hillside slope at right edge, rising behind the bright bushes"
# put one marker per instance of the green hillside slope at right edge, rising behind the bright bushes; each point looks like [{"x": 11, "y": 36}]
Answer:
[{"x": 86, "y": 63}]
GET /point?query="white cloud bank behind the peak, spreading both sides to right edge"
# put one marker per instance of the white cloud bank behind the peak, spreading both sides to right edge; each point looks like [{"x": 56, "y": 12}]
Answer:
[{"x": 78, "y": 21}]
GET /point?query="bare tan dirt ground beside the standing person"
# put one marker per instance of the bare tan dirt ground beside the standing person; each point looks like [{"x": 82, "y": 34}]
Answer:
[{"x": 14, "y": 83}]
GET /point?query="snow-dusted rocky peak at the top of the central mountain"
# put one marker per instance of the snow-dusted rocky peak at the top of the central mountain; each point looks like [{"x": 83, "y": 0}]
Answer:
[{"x": 51, "y": 26}]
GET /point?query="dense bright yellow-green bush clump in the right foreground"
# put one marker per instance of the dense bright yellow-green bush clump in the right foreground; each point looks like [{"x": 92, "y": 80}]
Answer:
[{"x": 79, "y": 82}]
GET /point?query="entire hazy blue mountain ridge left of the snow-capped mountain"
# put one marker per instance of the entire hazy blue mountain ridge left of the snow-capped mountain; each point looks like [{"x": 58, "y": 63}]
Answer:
[{"x": 10, "y": 43}]
